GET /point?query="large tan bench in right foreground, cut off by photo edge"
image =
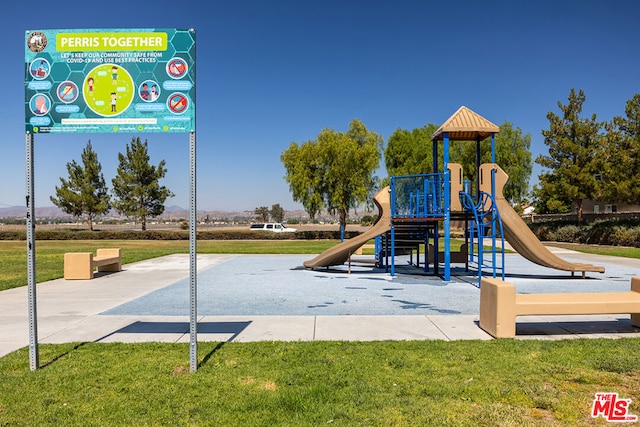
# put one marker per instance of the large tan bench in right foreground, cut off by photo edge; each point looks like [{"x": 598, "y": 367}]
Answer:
[{"x": 500, "y": 305}]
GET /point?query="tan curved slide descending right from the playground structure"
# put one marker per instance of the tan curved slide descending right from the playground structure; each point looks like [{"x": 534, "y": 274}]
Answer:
[{"x": 516, "y": 231}]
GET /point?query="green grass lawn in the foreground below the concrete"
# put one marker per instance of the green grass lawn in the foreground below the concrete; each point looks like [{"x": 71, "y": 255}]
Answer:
[{"x": 416, "y": 383}]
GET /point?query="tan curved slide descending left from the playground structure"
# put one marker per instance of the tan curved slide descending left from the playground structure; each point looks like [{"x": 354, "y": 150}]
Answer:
[{"x": 340, "y": 253}]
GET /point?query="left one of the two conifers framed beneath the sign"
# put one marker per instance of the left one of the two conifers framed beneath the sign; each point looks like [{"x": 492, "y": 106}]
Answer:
[{"x": 85, "y": 192}]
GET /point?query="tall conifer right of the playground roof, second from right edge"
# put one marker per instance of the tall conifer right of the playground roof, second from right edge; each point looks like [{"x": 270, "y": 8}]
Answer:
[{"x": 574, "y": 144}]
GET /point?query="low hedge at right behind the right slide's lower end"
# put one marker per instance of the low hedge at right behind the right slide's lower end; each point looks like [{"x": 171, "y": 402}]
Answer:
[{"x": 613, "y": 233}]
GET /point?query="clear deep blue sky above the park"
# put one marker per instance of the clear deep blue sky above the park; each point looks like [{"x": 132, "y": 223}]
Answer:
[{"x": 273, "y": 72}]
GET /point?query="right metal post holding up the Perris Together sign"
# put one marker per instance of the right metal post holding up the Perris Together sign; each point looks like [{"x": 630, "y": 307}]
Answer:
[{"x": 193, "y": 272}]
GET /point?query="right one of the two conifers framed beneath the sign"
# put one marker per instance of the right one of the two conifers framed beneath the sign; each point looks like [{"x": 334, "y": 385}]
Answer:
[{"x": 136, "y": 186}]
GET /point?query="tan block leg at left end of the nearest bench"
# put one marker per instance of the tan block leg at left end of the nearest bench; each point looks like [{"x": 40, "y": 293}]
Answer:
[{"x": 498, "y": 308}]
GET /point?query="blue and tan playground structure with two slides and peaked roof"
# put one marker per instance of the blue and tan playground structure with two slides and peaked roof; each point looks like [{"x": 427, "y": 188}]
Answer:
[{"x": 418, "y": 210}]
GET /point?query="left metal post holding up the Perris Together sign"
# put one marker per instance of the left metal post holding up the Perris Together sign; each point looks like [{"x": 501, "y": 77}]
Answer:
[{"x": 34, "y": 361}]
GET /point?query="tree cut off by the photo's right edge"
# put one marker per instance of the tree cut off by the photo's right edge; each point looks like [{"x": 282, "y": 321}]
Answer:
[{"x": 620, "y": 158}]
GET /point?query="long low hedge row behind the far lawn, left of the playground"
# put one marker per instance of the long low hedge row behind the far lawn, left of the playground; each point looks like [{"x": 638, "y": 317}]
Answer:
[{"x": 61, "y": 234}]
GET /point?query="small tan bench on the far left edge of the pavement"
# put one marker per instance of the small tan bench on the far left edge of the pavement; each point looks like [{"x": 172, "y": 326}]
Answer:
[{"x": 81, "y": 265}]
